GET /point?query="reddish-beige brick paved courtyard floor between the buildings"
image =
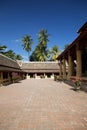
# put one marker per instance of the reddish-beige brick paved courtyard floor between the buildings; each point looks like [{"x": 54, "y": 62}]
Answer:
[{"x": 42, "y": 104}]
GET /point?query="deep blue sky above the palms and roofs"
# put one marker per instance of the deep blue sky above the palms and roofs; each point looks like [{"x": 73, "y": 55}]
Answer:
[{"x": 62, "y": 19}]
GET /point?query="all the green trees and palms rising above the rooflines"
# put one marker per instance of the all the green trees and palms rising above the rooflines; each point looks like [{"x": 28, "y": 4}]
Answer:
[{"x": 41, "y": 51}]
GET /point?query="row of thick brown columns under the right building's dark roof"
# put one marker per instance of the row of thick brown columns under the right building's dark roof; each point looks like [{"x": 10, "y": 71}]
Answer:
[{"x": 70, "y": 63}]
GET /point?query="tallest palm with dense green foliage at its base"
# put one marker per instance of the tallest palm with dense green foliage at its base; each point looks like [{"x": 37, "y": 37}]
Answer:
[{"x": 41, "y": 53}]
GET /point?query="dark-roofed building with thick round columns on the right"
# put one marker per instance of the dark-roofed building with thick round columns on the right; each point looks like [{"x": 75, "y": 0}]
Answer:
[{"x": 75, "y": 55}]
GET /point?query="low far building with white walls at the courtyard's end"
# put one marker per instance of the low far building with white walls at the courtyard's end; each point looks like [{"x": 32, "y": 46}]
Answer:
[{"x": 40, "y": 69}]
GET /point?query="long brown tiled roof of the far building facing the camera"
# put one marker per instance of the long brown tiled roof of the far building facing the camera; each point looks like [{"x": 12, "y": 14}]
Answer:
[{"x": 40, "y": 66}]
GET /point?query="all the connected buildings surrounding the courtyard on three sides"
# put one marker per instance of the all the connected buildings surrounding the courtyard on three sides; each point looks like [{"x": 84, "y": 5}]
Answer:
[{"x": 71, "y": 64}]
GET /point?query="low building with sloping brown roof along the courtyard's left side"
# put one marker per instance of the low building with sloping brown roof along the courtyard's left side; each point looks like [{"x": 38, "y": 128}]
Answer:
[{"x": 9, "y": 70}]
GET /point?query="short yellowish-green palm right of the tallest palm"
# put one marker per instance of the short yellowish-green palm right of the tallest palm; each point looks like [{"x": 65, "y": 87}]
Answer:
[{"x": 54, "y": 52}]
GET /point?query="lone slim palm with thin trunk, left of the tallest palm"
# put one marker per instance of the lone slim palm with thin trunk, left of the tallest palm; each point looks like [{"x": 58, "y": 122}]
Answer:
[{"x": 27, "y": 42}]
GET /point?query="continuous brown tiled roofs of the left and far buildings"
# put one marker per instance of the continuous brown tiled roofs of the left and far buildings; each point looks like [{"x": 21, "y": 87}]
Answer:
[{"x": 7, "y": 64}]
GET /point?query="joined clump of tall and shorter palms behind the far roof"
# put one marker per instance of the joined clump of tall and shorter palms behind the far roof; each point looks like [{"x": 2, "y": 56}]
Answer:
[{"x": 41, "y": 51}]
